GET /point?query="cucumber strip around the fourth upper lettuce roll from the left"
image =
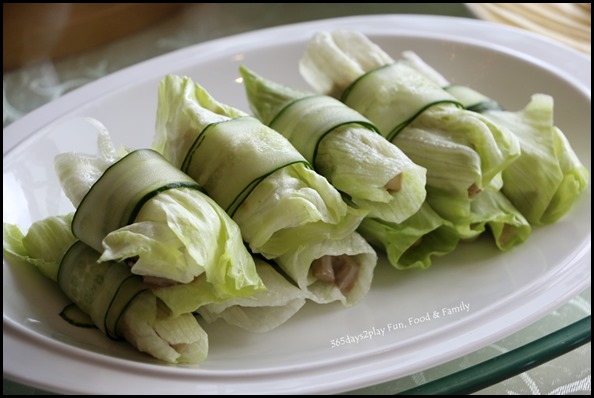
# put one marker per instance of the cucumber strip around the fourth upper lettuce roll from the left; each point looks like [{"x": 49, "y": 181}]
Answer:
[{"x": 392, "y": 96}]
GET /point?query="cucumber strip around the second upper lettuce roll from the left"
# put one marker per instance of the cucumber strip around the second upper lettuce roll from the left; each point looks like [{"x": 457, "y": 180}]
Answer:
[{"x": 211, "y": 157}]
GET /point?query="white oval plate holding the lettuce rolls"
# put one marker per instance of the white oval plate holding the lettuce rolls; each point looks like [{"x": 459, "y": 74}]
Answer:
[{"x": 323, "y": 349}]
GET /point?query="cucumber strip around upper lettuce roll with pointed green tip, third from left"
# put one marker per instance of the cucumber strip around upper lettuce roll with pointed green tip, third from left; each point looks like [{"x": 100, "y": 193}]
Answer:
[{"x": 306, "y": 121}]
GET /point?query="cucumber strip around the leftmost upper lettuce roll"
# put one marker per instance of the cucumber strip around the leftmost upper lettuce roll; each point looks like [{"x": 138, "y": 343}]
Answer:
[{"x": 118, "y": 195}]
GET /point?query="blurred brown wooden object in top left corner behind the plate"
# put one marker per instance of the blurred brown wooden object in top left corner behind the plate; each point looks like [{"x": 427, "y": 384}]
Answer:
[{"x": 36, "y": 32}]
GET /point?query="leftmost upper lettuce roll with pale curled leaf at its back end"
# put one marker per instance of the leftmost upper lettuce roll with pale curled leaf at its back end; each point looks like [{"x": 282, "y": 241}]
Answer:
[{"x": 141, "y": 209}]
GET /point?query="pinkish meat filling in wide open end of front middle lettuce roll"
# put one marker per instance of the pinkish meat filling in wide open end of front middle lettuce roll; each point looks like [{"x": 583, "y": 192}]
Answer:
[{"x": 340, "y": 270}]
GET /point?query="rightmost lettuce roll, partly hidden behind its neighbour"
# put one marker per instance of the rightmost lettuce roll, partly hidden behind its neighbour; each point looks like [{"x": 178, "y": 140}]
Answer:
[{"x": 548, "y": 177}]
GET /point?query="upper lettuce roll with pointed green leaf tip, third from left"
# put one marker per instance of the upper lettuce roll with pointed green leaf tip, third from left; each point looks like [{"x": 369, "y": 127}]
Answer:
[{"x": 343, "y": 146}]
